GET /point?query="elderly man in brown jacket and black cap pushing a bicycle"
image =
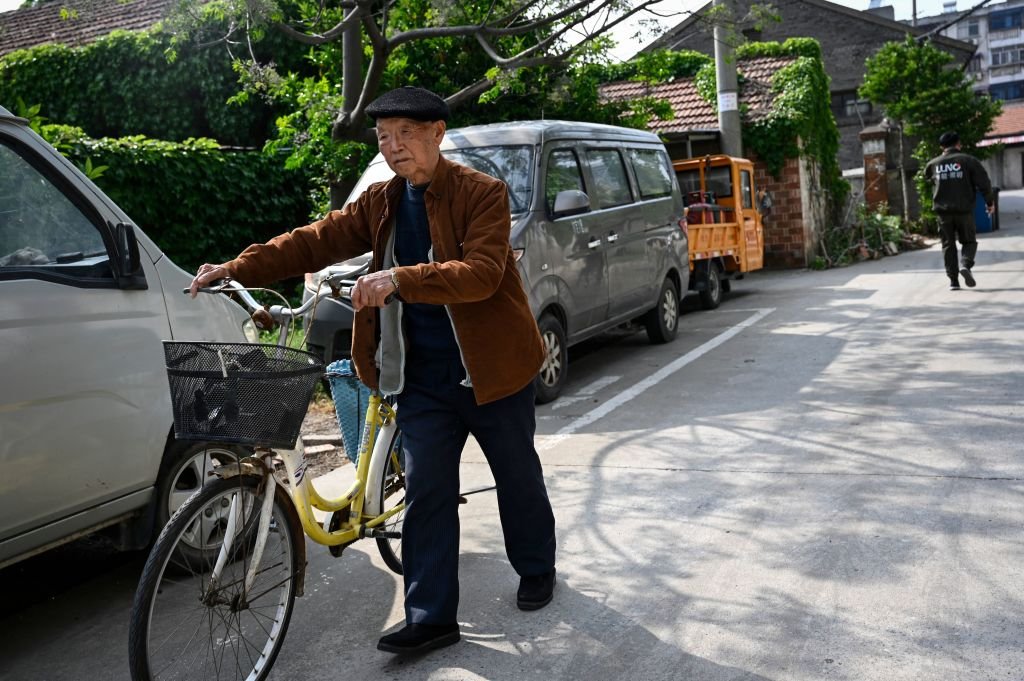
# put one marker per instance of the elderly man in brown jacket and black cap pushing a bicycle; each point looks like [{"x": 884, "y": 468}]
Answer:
[{"x": 459, "y": 347}]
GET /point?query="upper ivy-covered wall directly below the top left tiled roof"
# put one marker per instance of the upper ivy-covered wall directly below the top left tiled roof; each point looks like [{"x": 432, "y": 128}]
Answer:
[{"x": 124, "y": 84}]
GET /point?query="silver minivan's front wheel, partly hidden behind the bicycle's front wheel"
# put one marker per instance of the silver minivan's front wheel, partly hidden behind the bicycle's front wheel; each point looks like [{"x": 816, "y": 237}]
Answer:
[{"x": 187, "y": 467}]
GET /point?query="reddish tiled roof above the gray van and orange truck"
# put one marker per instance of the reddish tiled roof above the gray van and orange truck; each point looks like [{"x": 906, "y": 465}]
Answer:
[{"x": 693, "y": 112}]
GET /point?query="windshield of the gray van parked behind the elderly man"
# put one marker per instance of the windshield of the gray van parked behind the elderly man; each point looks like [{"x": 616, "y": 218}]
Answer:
[{"x": 511, "y": 164}]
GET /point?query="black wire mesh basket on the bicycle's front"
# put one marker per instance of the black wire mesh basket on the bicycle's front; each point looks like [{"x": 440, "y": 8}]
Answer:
[{"x": 244, "y": 394}]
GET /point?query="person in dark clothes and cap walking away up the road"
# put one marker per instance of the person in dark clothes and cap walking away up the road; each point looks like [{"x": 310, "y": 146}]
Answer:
[{"x": 958, "y": 179}]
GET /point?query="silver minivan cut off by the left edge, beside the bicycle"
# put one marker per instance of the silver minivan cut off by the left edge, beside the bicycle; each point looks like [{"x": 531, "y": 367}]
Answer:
[{"x": 86, "y": 418}]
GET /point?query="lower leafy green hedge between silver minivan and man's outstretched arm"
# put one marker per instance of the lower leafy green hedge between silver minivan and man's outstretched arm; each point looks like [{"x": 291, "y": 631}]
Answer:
[{"x": 199, "y": 204}]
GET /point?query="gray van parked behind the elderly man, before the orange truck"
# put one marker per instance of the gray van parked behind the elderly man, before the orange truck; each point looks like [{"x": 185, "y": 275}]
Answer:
[{"x": 598, "y": 227}]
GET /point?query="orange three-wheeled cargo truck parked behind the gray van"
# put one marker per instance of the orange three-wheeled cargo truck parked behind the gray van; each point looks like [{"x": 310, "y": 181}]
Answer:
[{"x": 723, "y": 216}]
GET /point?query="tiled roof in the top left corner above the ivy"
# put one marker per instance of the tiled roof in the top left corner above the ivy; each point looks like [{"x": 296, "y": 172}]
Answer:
[{"x": 83, "y": 22}]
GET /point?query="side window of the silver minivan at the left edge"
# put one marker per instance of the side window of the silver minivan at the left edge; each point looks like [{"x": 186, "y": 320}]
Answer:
[{"x": 40, "y": 227}]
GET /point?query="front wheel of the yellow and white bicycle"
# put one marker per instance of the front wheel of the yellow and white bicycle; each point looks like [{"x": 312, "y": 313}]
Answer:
[{"x": 184, "y": 625}]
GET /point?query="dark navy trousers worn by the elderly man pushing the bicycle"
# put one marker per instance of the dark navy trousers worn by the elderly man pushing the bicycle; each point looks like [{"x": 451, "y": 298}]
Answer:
[{"x": 437, "y": 415}]
